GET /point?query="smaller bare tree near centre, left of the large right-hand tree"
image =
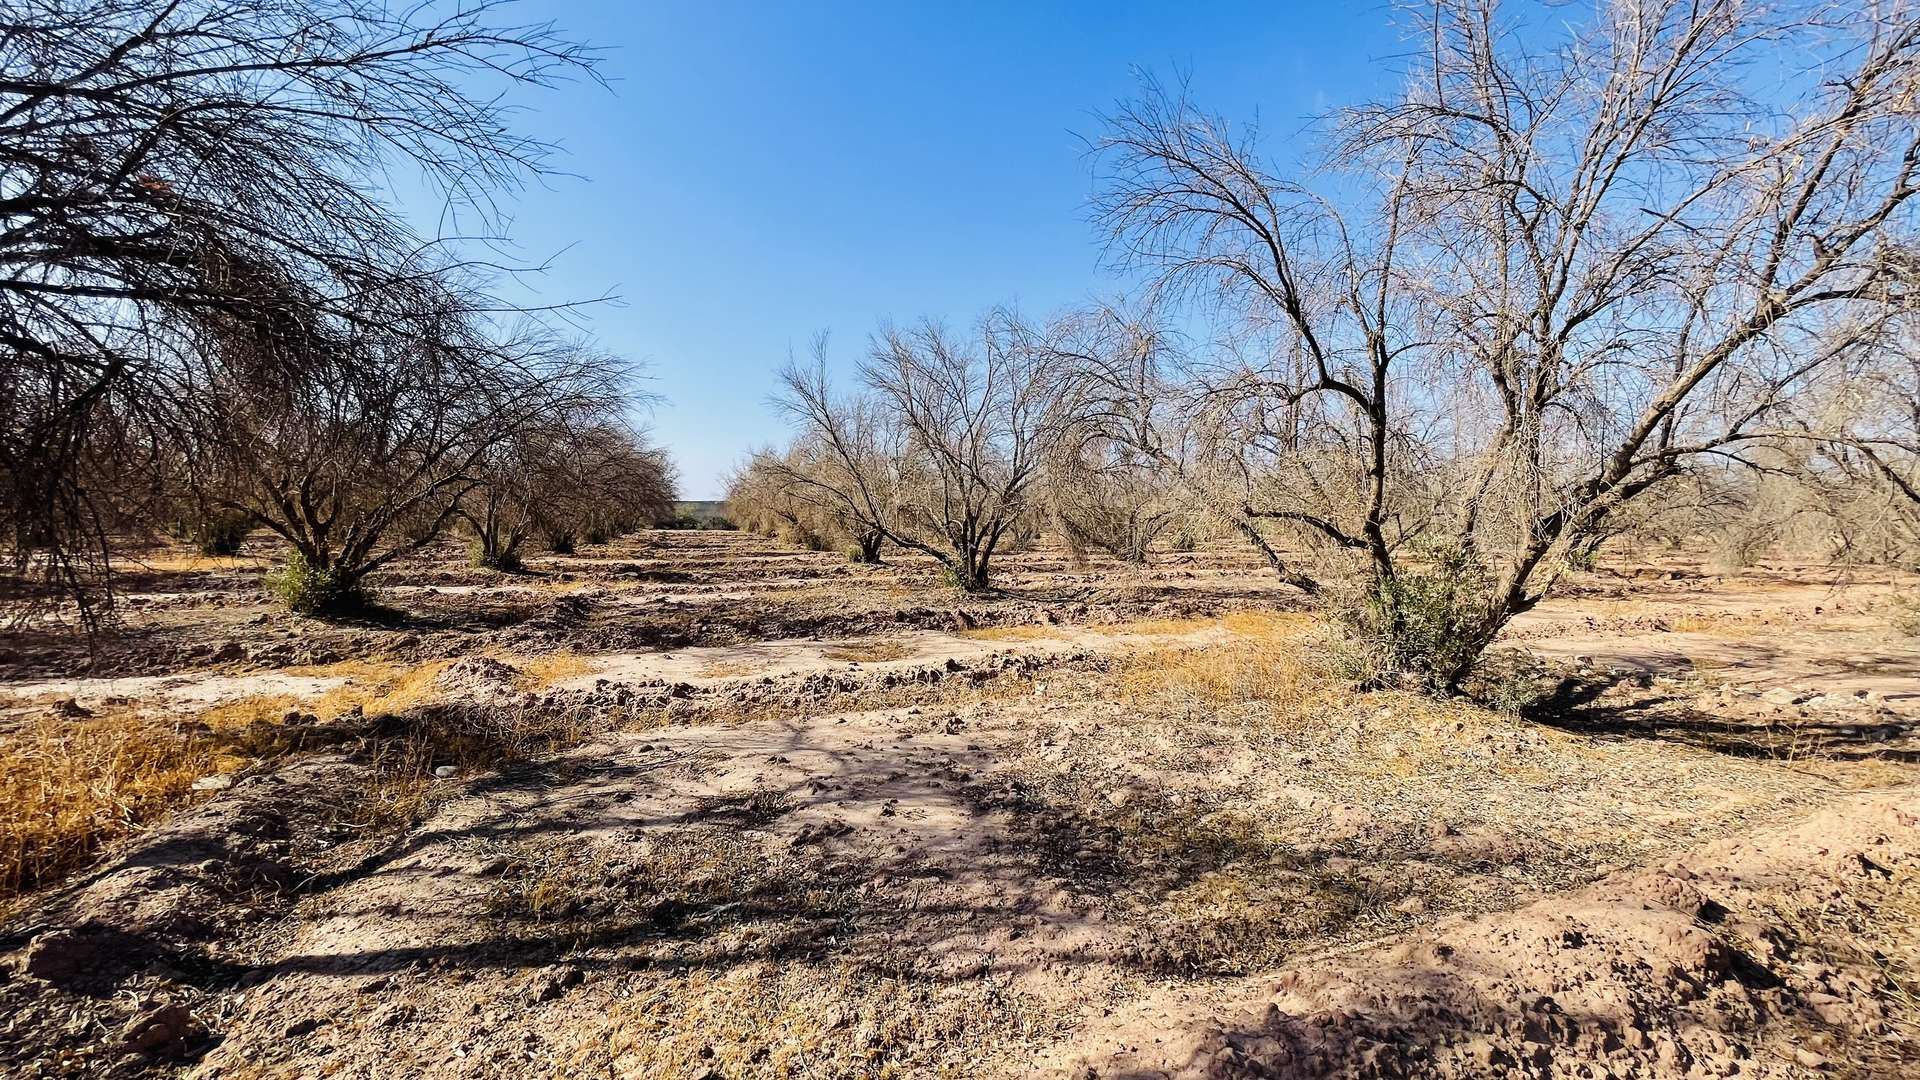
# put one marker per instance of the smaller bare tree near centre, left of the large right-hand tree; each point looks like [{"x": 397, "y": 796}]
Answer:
[{"x": 944, "y": 449}]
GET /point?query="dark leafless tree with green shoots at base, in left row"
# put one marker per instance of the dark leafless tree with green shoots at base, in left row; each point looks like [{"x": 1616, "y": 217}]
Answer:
[{"x": 372, "y": 443}]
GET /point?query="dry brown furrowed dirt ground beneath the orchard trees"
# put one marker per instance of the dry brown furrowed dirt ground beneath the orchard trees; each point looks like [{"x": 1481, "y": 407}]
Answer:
[{"x": 704, "y": 806}]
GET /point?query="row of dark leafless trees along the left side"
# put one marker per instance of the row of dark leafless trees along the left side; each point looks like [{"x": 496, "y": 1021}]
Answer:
[{"x": 208, "y": 312}]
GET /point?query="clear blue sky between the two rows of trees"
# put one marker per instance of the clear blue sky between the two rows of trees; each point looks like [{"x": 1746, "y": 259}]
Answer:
[{"x": 765, "y": 172}]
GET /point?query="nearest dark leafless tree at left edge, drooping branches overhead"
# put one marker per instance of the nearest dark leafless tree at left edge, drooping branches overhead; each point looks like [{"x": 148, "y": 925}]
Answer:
[{"x": 133, "y": 132}]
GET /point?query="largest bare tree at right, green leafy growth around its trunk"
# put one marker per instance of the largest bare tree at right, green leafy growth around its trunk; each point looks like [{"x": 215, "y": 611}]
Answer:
[{"x": 1564, "y": 274}]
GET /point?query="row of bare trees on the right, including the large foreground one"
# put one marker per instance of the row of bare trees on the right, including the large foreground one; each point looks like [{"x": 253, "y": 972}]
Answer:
[{"x": 1550, "y": 282}]
